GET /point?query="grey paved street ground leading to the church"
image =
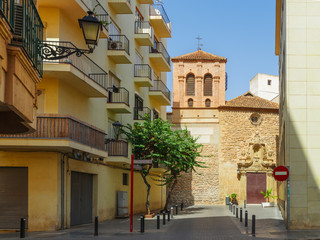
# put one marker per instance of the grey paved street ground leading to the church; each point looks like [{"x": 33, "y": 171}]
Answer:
[{"x": 197, "y": 222}]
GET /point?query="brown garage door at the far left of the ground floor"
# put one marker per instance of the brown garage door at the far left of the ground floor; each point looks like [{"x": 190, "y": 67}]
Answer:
[{"x": 13, "y": 197}]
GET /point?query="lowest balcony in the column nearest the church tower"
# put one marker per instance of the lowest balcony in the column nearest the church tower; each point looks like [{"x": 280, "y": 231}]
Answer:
[{"x": 160, "y": 92}]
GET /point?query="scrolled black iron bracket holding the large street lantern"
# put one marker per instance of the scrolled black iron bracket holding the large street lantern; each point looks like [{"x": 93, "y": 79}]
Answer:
[{"x": 55, "y": 52}]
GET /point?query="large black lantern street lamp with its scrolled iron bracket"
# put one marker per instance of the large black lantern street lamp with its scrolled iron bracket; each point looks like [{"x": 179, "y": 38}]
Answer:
[{"x": 91, "y": 28}]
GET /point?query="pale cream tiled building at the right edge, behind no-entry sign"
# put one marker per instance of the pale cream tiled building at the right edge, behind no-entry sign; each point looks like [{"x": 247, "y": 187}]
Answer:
[{"x": 297, "y": 44}]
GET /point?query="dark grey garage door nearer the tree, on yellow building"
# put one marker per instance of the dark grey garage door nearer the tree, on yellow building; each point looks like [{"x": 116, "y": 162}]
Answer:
[{"x": 81, "y": 198}]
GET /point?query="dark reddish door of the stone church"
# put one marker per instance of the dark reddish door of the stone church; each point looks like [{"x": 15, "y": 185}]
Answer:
[{"x": 256, "y": 182}]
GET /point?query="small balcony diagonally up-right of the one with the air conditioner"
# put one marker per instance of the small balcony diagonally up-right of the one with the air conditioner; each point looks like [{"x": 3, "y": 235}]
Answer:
[{"x": 143, "y": 33}]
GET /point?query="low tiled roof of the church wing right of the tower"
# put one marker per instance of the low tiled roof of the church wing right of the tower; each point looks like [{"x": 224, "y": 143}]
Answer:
[{"x": 248, "y": 100}]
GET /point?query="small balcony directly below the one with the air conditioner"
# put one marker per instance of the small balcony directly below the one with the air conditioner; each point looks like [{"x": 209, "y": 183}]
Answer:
[{"x": 118, "y": 100}]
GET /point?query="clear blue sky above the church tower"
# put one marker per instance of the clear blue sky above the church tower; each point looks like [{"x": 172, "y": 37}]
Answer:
[{"x": 242, "y": 31}]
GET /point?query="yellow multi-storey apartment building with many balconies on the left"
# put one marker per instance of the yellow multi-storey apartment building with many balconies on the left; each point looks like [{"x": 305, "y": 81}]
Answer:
[{"x": 75, "y": 166}]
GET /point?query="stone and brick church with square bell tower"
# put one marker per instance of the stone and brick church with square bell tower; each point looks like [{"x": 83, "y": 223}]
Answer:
[{"x": 239, "y": 137}]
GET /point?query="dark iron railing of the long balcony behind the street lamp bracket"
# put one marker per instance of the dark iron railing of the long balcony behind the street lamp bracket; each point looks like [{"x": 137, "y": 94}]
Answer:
[{"x": 83, "y": 63}]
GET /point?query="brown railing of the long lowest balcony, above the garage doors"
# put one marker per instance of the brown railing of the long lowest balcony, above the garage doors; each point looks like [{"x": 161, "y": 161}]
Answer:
[{"x": 54, "y": 126}]
